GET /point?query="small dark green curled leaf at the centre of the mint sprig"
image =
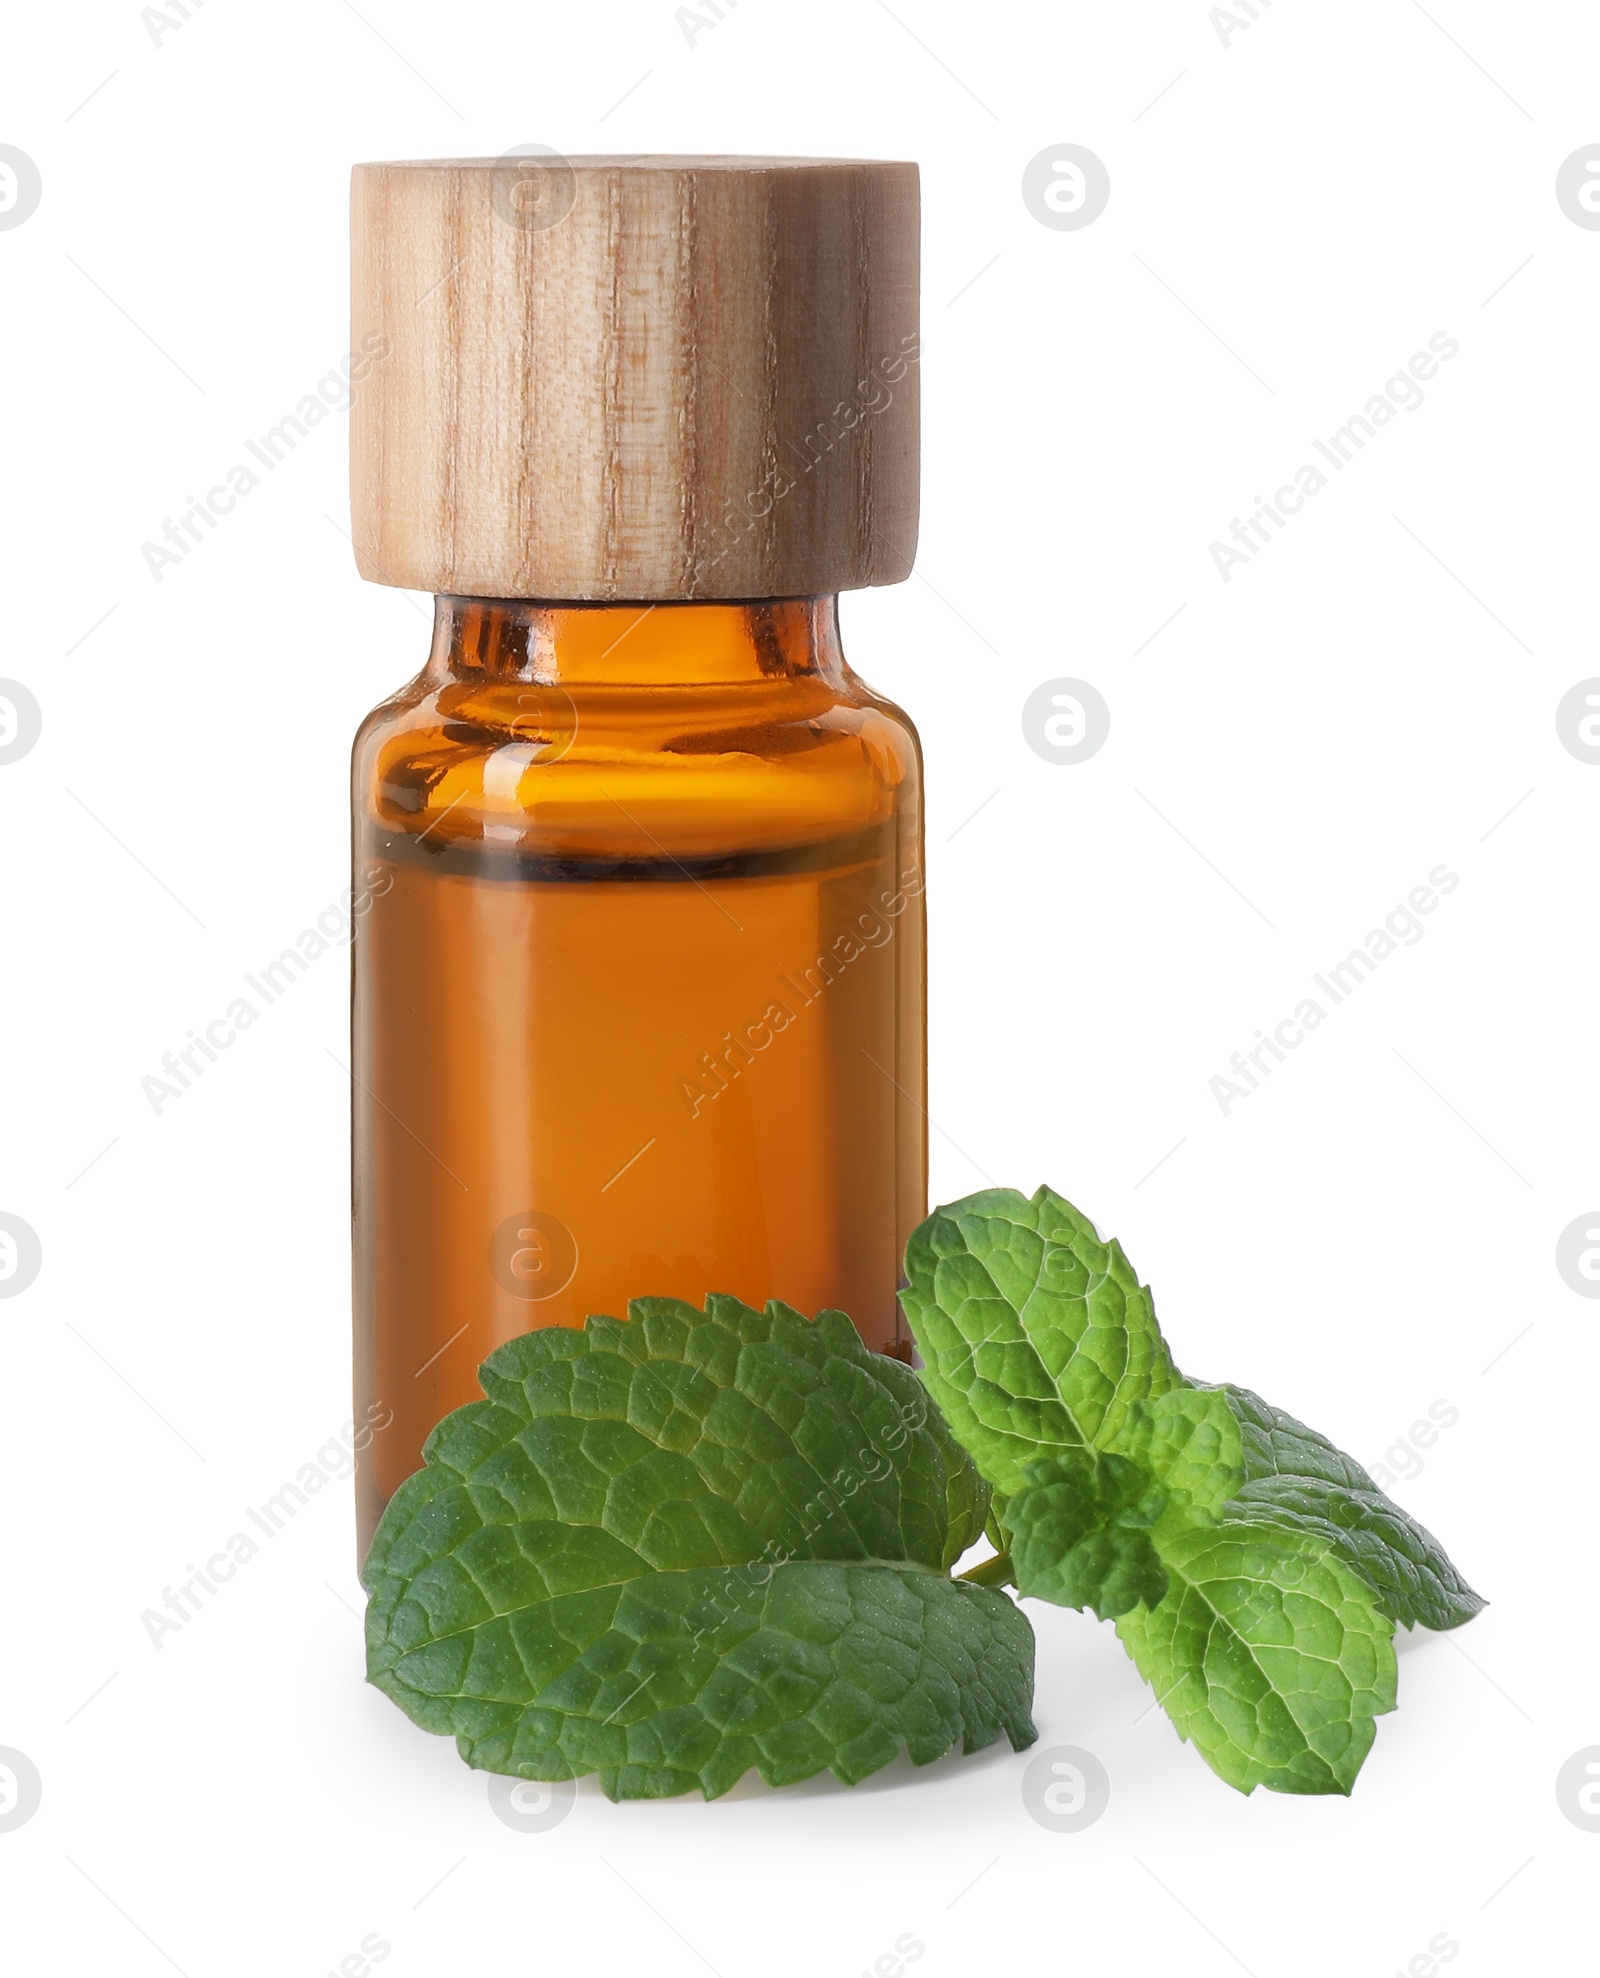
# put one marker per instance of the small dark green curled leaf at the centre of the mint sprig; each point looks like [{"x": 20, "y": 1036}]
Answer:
[{"x": 1081, "y": 1534}]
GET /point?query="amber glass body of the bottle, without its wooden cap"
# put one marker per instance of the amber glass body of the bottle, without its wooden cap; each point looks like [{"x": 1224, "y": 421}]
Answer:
[{"x": 640, "y": 986}]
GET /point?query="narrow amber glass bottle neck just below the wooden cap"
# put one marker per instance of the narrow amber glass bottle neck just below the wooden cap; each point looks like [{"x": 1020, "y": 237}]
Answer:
[{"x": 636, "y": 644}]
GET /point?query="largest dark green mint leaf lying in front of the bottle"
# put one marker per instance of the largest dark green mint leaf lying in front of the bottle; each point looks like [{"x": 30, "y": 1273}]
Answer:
[{"x": 693, "y": 1544}]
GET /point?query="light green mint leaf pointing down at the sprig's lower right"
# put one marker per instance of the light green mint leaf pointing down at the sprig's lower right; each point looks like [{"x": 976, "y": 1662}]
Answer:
[{"x": 1269, "y": 1653}]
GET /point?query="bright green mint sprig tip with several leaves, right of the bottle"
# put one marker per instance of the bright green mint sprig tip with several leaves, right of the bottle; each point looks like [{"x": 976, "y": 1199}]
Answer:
[{"x": 1255, "y": 1572}]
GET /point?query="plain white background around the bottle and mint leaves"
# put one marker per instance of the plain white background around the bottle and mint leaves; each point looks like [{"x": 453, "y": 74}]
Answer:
[{"x": 1290, "y": 755}]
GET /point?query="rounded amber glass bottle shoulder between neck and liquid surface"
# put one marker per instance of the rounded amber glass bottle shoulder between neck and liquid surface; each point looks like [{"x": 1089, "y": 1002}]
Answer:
[{"x": 638, "y": 770}]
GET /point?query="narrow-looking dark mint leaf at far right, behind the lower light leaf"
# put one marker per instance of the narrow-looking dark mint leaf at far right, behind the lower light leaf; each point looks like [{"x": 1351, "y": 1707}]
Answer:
[{"x": 1298, "y": 1481}]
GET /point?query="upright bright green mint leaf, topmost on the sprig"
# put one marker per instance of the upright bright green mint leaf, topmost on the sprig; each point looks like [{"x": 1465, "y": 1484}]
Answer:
[{"x": 1037, "y": 1338}]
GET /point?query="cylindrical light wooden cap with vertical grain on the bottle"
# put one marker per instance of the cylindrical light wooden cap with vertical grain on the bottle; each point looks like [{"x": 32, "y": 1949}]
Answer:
[{"x": 636, "y": 377}]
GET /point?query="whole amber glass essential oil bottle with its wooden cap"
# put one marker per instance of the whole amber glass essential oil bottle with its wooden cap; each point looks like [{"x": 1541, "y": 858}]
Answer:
[{"x": 638, "y": 859}]
